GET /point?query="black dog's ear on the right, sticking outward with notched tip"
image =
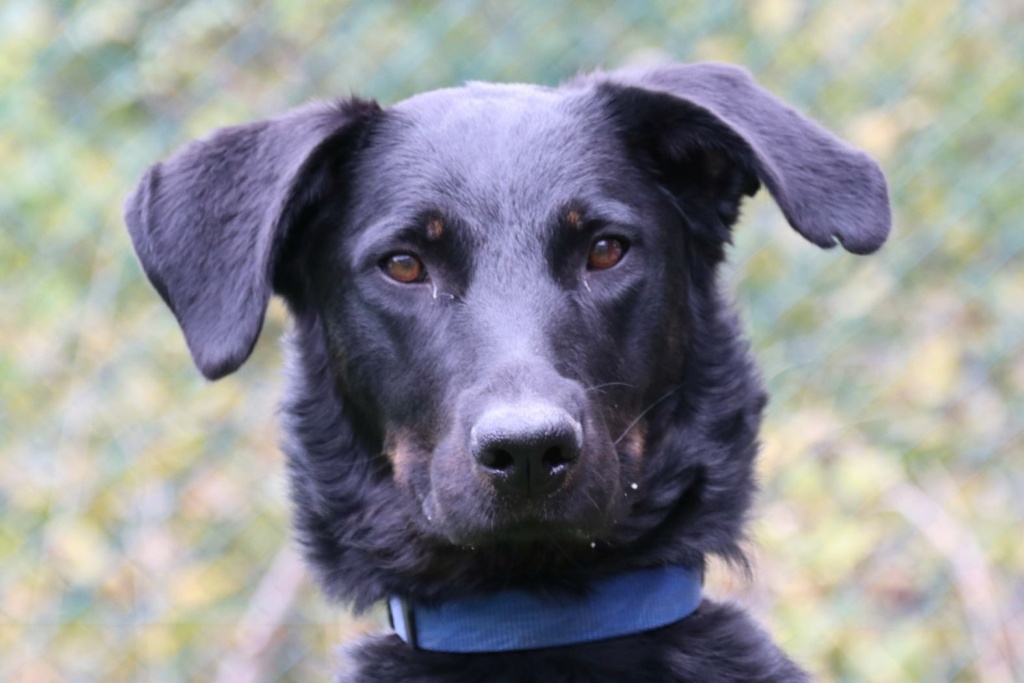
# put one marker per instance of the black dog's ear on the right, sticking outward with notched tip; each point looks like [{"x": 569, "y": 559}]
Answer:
[{"x": 739, "y": 134}]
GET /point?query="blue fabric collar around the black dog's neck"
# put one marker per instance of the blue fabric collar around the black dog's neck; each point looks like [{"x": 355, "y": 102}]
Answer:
[{"x": 516, "y": 620}]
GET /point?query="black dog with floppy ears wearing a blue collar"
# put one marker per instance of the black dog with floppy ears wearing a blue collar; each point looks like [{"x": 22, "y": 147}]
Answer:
[{"x": 519, "y": 398}]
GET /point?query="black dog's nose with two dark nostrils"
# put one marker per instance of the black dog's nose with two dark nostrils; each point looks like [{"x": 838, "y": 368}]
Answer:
[{"x": 527, "y": 450}]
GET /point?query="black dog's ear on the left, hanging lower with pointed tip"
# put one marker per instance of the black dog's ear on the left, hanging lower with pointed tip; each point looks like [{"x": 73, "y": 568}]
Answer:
[{"x": 208, "y": 225}]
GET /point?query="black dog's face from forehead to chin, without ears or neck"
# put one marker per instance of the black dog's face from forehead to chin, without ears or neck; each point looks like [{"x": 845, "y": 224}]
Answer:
[{"x": 504, "y": 294}]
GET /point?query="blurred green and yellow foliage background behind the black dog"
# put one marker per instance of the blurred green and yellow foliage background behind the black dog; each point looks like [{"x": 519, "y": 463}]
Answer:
[{"x": 145, "y": 533}]
